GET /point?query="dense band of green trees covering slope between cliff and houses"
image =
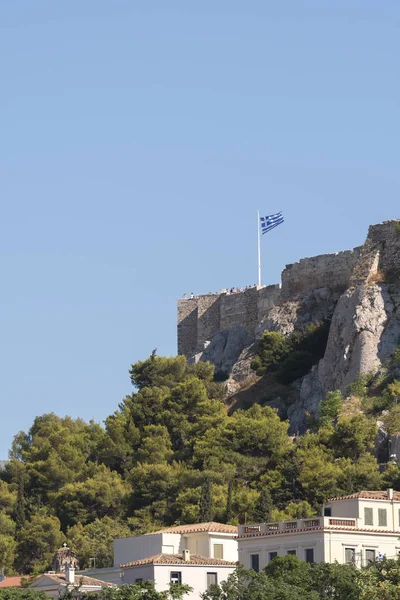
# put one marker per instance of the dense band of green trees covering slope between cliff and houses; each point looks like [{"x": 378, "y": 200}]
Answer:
[{"x": 172, "y": 453}]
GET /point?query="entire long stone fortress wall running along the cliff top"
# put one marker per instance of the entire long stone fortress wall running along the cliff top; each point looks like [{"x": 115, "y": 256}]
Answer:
[{"x": 200, "y": 319}]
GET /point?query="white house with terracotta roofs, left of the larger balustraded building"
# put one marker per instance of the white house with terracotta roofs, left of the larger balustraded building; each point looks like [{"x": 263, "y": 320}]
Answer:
[{"x": 198, "y": 555}]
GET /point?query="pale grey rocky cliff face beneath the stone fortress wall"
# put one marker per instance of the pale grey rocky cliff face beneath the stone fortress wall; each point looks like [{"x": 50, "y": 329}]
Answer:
[{"x": 364, "y": 330}]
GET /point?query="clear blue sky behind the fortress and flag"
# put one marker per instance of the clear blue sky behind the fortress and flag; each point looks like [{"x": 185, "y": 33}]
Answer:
[{"x": 138, "y": 139}]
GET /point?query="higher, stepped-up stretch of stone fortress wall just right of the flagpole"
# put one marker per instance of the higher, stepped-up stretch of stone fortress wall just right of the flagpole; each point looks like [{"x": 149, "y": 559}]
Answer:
[{"x": 327, "y": 270}]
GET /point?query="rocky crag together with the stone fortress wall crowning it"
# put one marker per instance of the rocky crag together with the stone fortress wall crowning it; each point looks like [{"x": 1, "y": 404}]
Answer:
[{"x": 355, "y": 294}]
